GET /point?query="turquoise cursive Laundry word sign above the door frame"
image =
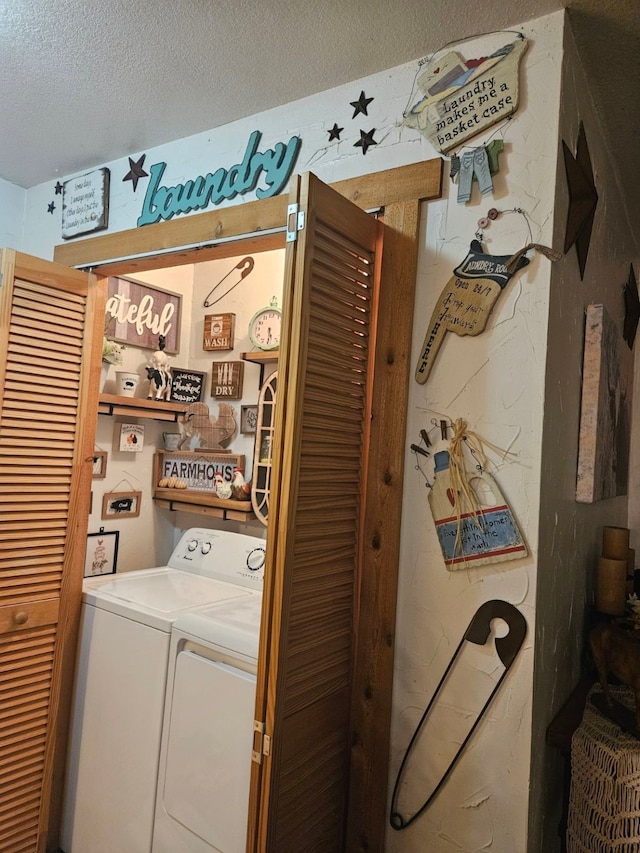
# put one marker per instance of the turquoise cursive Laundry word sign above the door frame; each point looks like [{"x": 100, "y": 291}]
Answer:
[{"x": 272, "y": 167}]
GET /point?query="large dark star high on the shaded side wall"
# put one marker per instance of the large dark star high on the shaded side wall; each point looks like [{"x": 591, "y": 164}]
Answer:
[{"x": 583, "y": 199}]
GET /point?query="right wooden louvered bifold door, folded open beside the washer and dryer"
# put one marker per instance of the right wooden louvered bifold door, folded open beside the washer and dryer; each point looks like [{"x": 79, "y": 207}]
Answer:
[{"x": 313, "y": 533}]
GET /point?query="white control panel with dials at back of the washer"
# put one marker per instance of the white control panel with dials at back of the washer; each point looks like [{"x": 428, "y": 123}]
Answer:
[{"x": 232, "y": 557}]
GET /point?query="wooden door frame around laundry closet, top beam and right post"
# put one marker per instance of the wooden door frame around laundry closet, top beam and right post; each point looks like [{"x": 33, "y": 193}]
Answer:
[{"x": 259, "y": 226}]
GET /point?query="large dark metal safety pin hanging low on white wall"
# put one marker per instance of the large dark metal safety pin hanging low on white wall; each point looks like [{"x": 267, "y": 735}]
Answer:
[{"x": 507, "y": 648}]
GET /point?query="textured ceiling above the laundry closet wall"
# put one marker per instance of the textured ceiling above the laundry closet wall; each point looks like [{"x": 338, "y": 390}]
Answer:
[{"x": 84, "y": 82}]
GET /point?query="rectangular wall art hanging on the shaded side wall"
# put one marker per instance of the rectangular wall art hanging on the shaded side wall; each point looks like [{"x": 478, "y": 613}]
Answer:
[{"x": 605, "y": 415}]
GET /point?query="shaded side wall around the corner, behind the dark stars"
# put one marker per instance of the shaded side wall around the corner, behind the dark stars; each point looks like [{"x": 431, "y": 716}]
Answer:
[{"x": 570, "y": 532}]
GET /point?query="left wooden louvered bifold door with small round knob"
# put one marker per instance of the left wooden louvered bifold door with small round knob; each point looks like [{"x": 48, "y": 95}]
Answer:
[{"x": 48, "y": 333}]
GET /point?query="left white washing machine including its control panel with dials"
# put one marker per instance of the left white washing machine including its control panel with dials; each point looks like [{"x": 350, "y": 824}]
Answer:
[{"x": 121, "y": 678}]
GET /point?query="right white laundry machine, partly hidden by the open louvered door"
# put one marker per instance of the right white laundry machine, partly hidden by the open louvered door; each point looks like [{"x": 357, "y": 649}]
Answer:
[{"x": 207, "y": 736}]
